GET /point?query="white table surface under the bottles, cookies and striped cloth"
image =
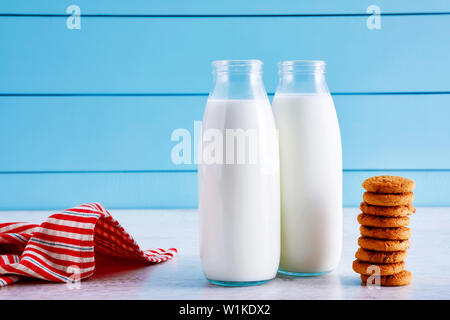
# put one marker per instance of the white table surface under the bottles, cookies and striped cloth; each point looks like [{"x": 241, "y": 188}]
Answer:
[{"x": 182, "y": 278}]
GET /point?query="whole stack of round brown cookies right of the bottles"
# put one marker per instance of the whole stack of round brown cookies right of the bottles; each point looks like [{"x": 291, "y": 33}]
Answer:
[{"x": 384, "y": 235}]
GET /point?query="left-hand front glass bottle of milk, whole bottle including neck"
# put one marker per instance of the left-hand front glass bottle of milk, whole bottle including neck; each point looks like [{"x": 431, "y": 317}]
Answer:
[{"x": 238, "y": 176}]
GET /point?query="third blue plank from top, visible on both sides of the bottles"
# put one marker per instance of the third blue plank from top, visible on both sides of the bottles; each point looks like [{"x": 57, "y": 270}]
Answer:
[{"x": 134, "y": 133}]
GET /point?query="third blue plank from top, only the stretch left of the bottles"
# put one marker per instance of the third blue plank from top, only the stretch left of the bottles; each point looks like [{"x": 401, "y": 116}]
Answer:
[{"x": 93, "y": 133}]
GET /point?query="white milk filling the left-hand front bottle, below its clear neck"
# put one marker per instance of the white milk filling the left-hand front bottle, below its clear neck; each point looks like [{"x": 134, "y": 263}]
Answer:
[{"x": 239, "y": 204}]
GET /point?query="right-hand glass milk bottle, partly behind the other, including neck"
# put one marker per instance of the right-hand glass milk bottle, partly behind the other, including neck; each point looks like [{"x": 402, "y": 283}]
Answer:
[{"x": 311, "y": 170}]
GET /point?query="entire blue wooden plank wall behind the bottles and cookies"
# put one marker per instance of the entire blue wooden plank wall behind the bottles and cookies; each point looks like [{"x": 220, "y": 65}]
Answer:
[{"x": 87, "y": 115}]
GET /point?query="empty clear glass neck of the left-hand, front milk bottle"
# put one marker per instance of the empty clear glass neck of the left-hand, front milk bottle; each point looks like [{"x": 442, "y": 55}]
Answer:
[{"x": 238, "y": 79}]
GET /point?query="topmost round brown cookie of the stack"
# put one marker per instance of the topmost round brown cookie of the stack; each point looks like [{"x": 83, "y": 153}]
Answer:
[{"x": 389, "y": 184}]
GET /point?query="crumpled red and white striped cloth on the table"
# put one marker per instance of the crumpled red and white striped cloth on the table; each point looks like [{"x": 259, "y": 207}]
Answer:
[{"x": 65, "y": 245}]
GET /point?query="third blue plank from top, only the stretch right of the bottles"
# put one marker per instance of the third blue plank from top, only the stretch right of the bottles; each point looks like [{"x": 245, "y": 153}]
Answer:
[{"x": 395, "y": 131}]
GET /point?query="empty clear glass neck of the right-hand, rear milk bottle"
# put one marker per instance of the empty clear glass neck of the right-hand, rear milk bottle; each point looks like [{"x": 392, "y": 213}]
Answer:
[{"x": 302, "y": 77}]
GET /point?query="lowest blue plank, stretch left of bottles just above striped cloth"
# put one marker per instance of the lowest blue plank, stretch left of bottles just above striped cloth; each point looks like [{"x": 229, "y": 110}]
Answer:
[{"x": 120, "y": 190}]
